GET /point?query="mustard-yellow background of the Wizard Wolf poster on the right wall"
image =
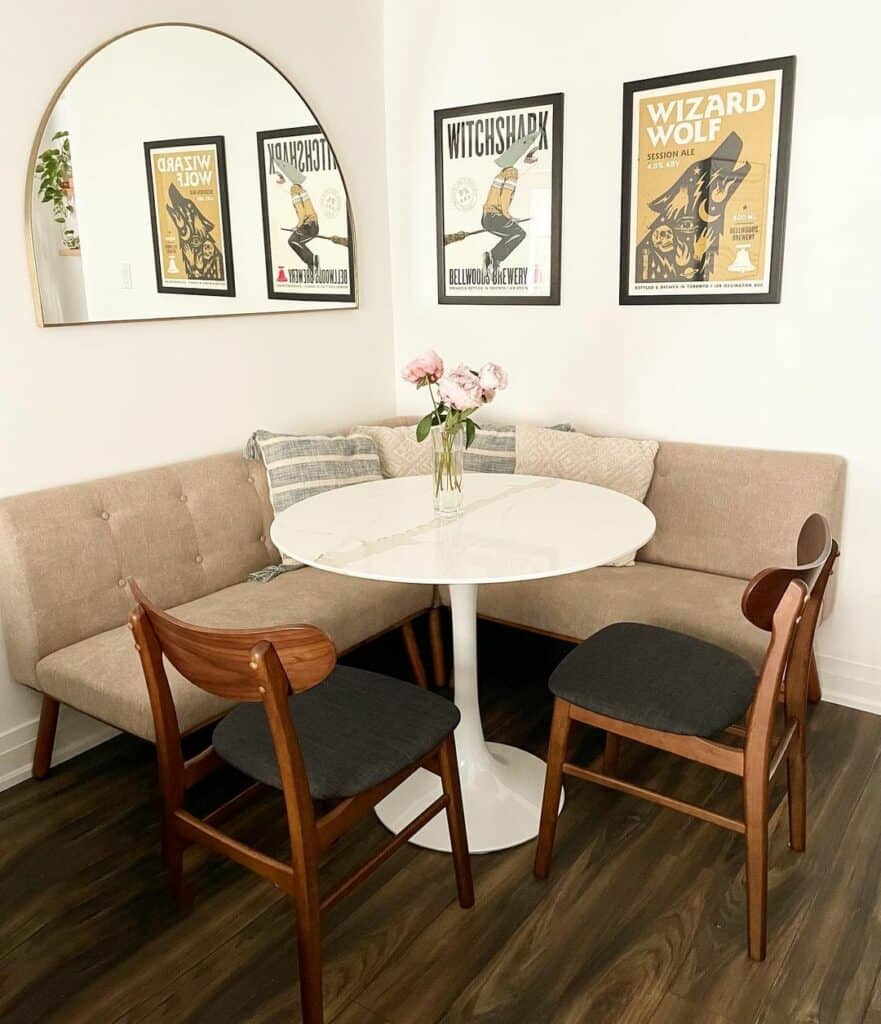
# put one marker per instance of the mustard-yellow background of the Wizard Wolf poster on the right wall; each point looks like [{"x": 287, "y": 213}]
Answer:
[{"x": 661, "y": 166}]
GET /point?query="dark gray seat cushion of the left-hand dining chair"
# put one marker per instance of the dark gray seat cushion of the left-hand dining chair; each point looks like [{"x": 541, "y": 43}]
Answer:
[{"x": 356, "y": 730}]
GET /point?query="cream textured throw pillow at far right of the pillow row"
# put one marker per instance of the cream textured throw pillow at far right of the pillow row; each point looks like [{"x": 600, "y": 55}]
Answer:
[{"x": 621, "y": 464}]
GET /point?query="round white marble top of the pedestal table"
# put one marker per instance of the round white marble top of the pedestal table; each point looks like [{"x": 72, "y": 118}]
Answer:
[{"x": 513, "y": 528}]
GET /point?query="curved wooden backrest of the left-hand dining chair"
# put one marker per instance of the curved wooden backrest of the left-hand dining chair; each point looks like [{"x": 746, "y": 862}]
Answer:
[{"x": 222, "y": 661}]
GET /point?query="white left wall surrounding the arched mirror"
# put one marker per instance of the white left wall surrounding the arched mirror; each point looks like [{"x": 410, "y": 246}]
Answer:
[{"x": 82, "y": 402}]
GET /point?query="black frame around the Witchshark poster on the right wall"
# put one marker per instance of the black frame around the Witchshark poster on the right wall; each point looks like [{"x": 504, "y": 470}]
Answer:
[{"x": 556, "y": 101}]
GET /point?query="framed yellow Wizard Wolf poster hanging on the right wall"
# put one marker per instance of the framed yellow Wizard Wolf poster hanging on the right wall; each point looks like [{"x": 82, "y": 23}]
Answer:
[{"x": 704, "y": 184}]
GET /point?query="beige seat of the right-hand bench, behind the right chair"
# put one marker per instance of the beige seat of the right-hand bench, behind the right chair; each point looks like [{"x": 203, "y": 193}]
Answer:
[{"x": 578, "y": 606}]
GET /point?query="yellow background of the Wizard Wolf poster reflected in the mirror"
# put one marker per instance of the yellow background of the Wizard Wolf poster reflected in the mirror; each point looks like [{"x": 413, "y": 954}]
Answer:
[{"x": 194, "y": 173}]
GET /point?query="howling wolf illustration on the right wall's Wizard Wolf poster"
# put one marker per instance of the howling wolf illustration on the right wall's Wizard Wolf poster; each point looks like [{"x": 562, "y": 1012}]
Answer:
[{"x": 683, "y": 242}]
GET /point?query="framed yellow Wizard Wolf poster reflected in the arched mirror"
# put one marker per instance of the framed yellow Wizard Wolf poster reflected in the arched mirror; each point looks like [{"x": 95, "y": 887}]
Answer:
[{"x": 190, "y": 215}]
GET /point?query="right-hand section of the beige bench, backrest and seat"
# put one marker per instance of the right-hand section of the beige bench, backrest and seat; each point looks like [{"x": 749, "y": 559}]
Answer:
[{"x": 723, "y": 515}]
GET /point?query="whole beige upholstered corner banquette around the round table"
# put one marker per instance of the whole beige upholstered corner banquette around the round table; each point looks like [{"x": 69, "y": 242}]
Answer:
[{"x": 192, "y": 533}]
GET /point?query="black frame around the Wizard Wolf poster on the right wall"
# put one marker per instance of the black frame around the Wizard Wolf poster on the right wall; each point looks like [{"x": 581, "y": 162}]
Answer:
[{"x": 787, "y": 67}]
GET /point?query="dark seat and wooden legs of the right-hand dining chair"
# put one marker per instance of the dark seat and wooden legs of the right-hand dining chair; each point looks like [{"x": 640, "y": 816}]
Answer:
[{"x": 675, "y": 693}]
